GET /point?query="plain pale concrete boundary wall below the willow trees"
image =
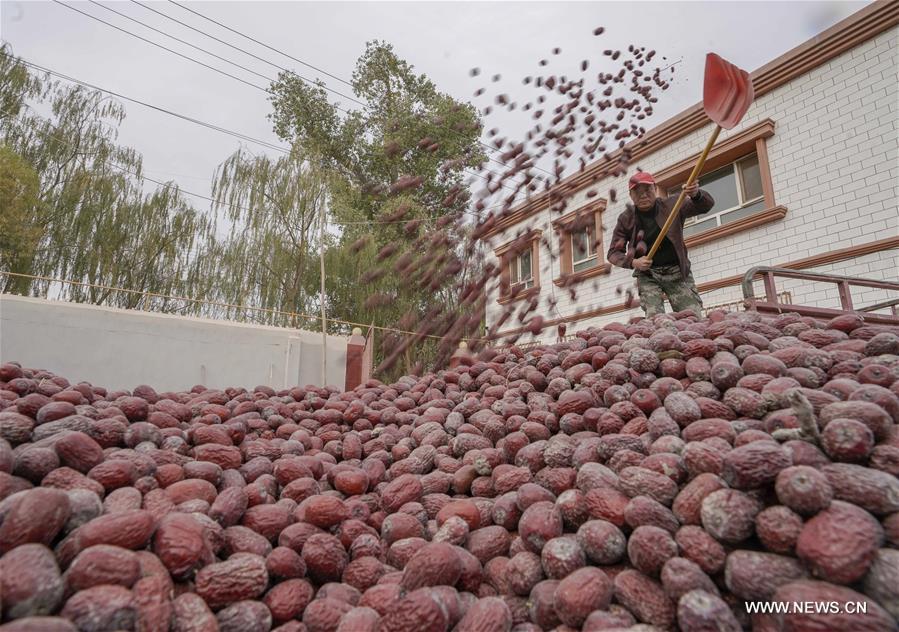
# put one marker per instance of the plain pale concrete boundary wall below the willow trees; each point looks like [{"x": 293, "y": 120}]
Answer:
[{"x": 120, "y": 349}]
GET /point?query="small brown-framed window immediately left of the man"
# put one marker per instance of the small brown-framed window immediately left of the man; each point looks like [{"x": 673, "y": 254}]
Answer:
[{"x": 580, "y": 244}]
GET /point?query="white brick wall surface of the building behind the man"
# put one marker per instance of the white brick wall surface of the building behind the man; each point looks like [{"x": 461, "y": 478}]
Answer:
[{"x": 834, "y": 161}]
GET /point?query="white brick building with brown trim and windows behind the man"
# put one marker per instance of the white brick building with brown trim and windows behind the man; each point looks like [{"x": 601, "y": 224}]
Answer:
[{"x": 807, "y": 180}]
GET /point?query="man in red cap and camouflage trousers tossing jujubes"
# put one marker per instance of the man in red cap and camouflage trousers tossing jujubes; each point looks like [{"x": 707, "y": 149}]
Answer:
[{"x": 668, "y": 272}]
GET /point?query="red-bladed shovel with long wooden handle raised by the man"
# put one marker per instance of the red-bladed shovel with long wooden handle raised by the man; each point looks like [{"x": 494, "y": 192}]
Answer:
[{"x": 727, "y": 94}]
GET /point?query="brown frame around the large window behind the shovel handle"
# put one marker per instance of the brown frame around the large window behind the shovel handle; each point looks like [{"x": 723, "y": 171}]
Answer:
[{"x": 738, "y": 147}]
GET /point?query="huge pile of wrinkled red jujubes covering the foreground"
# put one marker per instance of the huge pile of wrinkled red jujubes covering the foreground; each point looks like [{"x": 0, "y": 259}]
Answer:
[{"x": 664, "y": 474}]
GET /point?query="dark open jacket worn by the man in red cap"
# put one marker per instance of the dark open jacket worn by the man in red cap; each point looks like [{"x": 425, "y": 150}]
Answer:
[{"x": 624, "y": 237}]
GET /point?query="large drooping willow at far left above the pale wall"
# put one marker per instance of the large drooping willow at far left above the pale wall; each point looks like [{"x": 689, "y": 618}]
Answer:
[{"x": 94, "y": 222}]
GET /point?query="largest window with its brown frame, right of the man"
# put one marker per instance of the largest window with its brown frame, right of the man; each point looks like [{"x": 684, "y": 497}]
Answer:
[{"x": 738, "y": 176}]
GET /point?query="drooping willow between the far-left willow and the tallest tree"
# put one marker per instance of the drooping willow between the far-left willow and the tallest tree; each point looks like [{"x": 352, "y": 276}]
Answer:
[{"x": 274, "y": 206}]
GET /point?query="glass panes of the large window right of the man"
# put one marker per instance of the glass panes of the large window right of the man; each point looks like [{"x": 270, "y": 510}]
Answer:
[{"x": 737, "y": 190}]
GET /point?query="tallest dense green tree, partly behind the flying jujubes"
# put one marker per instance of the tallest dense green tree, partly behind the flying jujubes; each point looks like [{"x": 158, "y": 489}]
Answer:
[{"x": 396, "y": 189}]
